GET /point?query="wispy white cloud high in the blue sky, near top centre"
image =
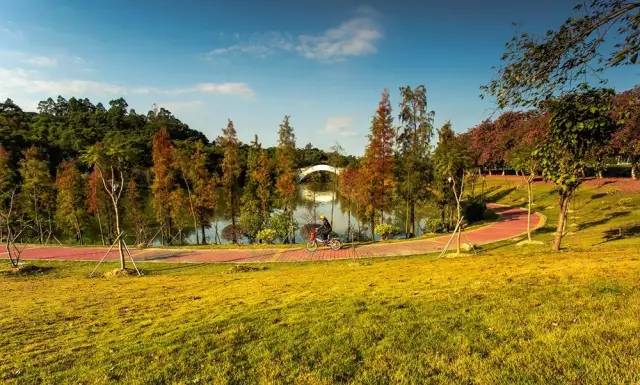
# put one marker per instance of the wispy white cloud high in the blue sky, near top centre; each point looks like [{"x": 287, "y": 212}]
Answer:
[{"x": 355, "y": 37}]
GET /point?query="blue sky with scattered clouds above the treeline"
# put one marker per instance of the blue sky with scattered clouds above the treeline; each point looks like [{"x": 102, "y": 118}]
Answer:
[{"x": 324, "y": 63}]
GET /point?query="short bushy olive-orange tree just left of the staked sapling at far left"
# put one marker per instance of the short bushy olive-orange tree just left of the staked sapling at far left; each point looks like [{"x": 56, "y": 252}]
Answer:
[{"x": 71, "y": 213}]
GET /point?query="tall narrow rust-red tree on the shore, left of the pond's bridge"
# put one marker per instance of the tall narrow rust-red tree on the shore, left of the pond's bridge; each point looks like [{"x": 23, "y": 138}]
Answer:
[{"x": 163, "y": 180}]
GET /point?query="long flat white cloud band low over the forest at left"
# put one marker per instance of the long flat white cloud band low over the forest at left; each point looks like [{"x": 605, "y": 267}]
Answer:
[{"x": 19, "y": 81}]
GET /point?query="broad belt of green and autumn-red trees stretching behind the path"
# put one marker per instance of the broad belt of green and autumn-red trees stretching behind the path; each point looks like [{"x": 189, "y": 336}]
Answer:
[{"x": 78, "y": 172}]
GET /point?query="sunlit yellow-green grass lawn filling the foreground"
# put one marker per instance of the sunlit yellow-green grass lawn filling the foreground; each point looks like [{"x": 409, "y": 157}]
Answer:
[{"x": 510, "y": 315}]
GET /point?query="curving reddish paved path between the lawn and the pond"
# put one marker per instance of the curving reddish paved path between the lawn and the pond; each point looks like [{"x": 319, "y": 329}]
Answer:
[{"x": 512, "y": 223}]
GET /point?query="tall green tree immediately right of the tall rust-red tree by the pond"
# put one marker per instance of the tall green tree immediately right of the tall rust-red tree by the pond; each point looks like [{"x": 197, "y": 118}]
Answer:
[{"x": 413, "y": 143}]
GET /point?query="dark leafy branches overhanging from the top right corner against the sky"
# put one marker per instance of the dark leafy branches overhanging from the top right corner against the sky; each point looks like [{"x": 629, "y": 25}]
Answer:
[{"x": 604, "y": 35}]
